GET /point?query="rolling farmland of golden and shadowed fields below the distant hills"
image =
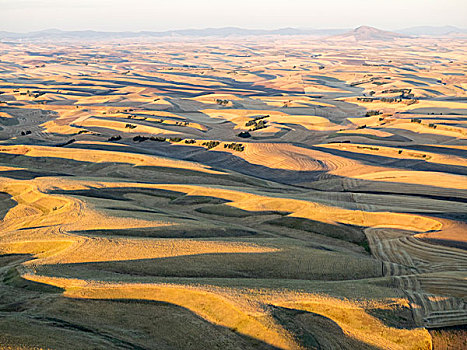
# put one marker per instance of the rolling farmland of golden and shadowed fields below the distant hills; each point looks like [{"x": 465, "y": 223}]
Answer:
[{"x": 233, "y": 194}]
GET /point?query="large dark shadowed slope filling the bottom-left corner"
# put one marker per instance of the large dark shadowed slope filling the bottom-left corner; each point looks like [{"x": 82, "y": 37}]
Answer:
[{"x": 69, "y": 323}]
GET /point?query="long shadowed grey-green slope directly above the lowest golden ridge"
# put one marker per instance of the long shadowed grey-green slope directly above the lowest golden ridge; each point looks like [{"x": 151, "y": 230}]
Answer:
[{"x": 288, "y": 263}]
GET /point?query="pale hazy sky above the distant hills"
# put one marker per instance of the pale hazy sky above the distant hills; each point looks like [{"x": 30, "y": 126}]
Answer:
[{"x": 157, "y": 15}]
